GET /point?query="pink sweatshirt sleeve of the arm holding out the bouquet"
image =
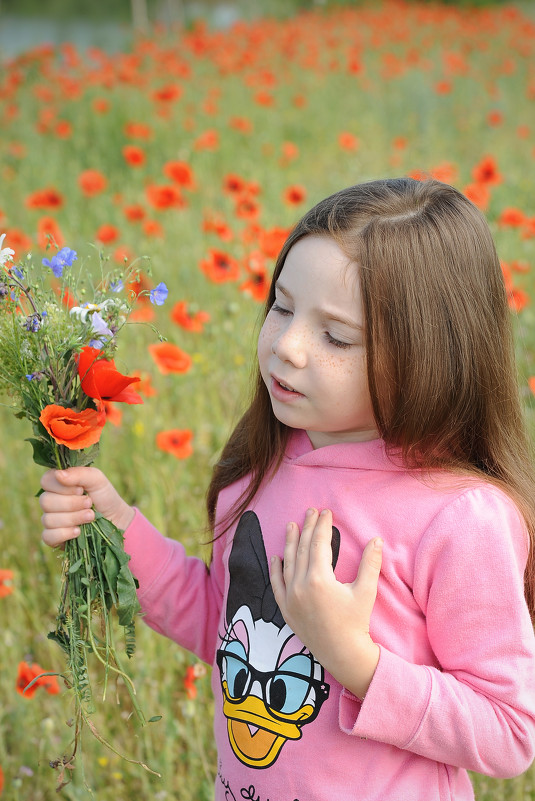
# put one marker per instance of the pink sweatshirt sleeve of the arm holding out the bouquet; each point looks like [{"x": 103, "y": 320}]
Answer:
[{"x": 179, "y": 595}]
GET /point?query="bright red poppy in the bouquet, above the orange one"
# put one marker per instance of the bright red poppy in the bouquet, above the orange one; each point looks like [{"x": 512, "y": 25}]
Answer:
[{"x": 100, "y": 378}]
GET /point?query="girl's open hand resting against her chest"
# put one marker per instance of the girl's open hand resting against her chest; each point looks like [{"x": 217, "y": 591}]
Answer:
[{"x": 330, "y": 618}]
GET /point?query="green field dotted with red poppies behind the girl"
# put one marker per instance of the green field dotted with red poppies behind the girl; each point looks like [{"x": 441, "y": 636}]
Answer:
[{"x": 191, "y": 154}]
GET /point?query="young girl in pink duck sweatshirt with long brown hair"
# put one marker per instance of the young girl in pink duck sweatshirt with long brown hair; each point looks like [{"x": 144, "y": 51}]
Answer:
[{"x": 386, "y": 398}]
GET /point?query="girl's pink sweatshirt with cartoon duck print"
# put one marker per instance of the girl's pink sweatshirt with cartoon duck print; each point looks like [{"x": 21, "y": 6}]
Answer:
[{"x": 454, "y": 689}]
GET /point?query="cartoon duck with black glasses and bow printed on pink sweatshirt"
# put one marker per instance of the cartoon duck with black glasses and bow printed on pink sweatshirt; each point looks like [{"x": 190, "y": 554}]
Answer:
[{"x": 272, "y": 685}]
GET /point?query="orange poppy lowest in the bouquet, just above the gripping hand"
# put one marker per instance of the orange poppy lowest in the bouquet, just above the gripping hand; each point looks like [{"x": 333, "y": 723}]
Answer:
[{"x": 73, "y": 429}]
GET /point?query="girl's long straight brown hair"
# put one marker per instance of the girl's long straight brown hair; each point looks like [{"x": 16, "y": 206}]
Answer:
[{"x": 439, "y": 343}]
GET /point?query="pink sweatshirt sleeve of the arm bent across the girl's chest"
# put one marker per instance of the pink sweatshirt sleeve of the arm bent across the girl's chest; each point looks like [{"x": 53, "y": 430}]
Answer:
[{"x": 477, "y": 710}]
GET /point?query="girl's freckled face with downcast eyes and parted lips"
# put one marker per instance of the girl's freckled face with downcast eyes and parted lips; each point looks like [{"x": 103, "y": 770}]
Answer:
[{"x": 311, "y": 347}]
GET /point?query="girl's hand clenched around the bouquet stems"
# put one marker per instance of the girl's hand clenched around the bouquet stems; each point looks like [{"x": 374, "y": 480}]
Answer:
[{"x": 68, "y": 498}]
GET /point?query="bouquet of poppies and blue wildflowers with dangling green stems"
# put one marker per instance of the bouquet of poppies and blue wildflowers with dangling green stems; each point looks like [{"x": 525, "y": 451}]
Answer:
[{"x": 58, "y": 369}]
